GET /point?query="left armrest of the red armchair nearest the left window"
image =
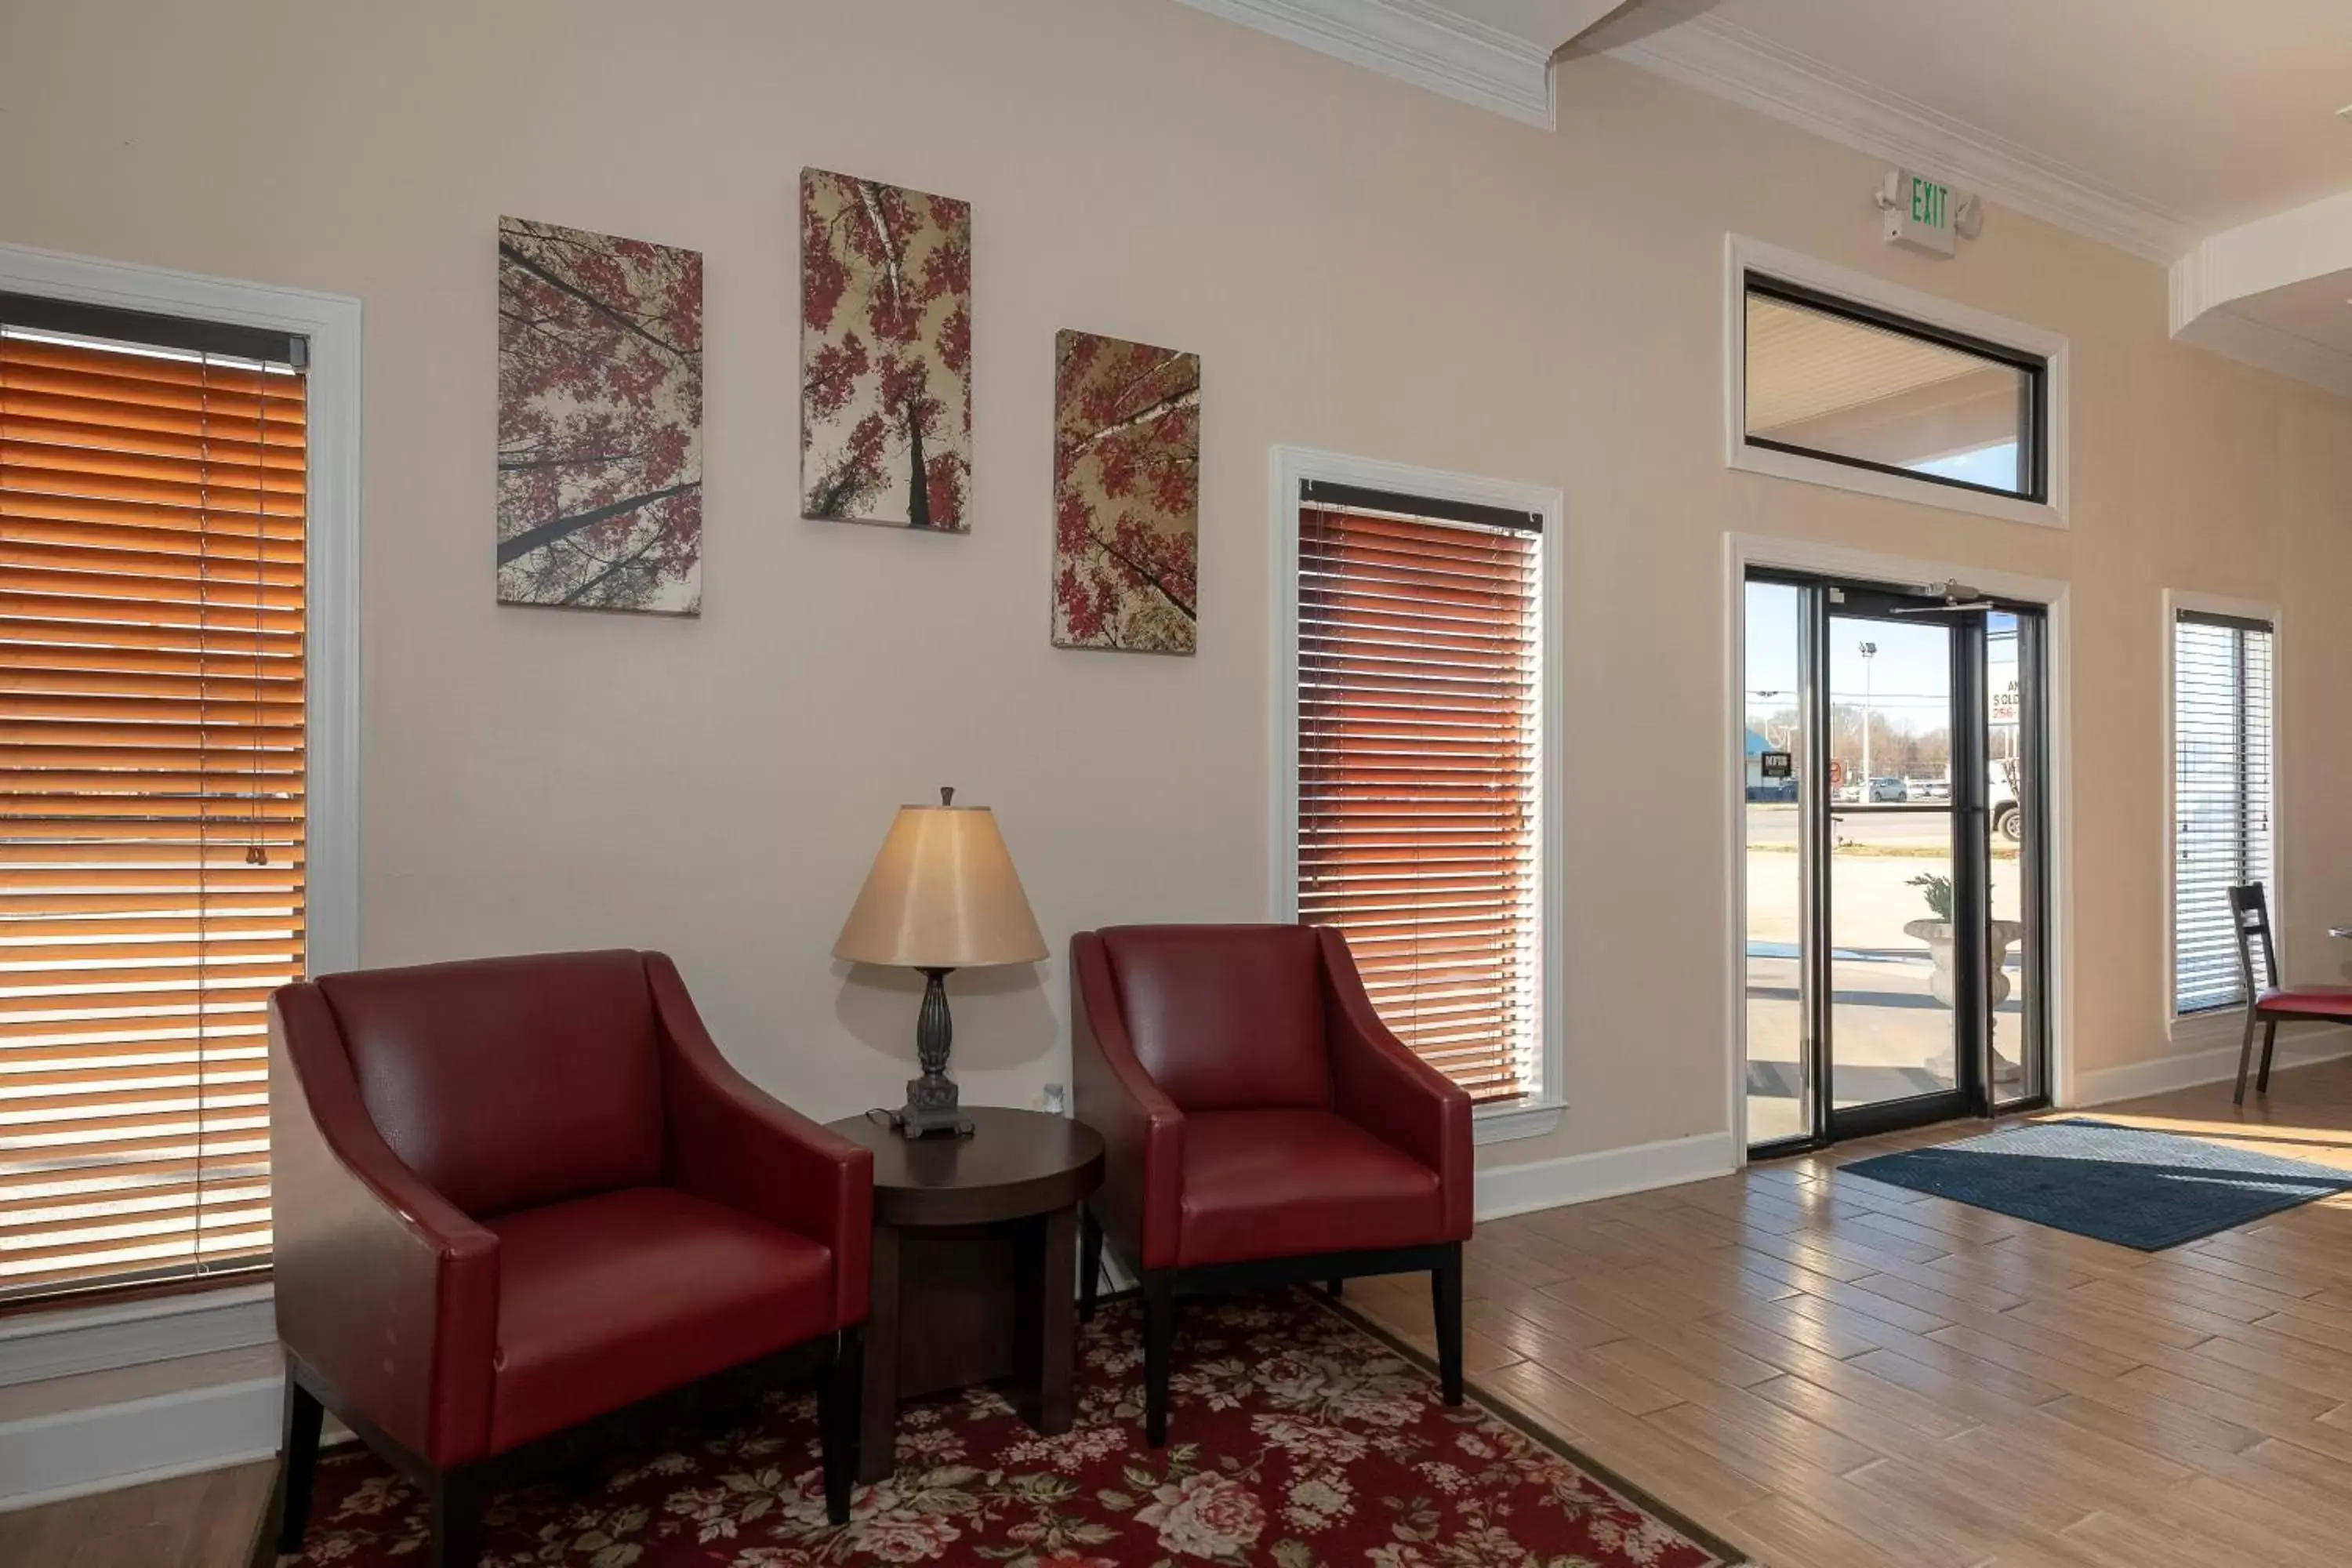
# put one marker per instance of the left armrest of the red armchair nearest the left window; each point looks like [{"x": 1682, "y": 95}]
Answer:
[{"x": 385, "y": 1289}]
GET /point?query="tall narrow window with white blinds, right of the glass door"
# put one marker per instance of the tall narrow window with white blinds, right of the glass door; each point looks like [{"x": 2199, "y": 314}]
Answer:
[{"x": 2221, "y": 796}]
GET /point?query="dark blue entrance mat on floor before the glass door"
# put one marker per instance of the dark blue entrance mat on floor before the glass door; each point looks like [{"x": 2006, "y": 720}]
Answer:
[{"x": 2116, "y": 1184}]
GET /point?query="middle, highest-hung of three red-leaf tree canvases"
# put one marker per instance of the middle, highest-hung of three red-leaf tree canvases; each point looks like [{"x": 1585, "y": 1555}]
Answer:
[{"x": 886, "y": 354}]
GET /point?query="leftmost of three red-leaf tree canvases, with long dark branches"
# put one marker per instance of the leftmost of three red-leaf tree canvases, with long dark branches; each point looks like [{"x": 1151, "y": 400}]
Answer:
[{"x": 601, "y": 422}]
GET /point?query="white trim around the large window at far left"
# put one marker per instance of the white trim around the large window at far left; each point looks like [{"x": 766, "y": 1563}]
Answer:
[{"x": 187, "y": 1325}]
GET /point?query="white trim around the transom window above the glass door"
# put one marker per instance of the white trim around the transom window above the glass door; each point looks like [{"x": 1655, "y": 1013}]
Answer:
[{"x": 1744, "y": 255}]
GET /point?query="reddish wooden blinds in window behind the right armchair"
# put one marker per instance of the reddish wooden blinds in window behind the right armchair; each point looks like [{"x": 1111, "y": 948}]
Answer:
[{"x": 1419, "y": 763}]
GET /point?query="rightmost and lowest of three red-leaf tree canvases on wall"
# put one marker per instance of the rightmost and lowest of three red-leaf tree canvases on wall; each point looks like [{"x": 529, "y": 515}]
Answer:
[{"x": 1125, "y": 495}]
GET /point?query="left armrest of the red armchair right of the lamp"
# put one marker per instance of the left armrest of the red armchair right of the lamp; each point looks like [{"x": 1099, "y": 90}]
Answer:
[{"x": 1142, "y": 1127}]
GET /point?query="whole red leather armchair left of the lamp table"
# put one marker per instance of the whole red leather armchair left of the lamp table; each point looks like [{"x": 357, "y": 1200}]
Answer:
[{"x": 516, "y": 1195}]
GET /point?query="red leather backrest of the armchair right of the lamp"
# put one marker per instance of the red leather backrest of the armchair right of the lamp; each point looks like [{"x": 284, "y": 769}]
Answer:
[{"x": 1224, "y": 1017}]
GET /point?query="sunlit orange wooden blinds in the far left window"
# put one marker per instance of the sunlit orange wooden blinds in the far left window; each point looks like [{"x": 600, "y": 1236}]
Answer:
[{"x": 152, "y": 803}]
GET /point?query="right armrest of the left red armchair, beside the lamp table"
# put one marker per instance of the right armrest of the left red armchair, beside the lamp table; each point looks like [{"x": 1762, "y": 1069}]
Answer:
[{"x": 740, "y": 1146}]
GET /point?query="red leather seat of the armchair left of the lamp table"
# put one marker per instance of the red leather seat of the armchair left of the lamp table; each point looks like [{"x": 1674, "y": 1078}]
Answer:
[{"x": 613, "y": 1299}]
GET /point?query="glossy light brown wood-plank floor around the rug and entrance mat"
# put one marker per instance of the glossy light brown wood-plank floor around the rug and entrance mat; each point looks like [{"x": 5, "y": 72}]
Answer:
[{"x": 1836, "y": 1374}]
